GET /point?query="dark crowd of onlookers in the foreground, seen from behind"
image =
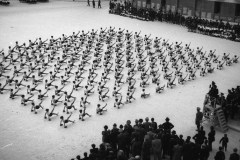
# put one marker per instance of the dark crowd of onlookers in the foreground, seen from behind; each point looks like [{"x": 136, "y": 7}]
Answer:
[{"x": 147, "y": 138}]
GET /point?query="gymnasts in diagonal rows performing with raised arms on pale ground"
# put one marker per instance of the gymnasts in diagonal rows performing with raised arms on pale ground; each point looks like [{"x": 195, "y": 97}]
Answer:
[{"x": 71, "y": 65}]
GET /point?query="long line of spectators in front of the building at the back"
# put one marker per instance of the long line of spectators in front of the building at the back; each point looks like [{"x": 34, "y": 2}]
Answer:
[{"x": 216, "y": 28}]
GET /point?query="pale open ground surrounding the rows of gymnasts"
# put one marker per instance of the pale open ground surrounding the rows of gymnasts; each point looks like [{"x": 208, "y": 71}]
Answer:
[{"x": 24, "y": 135}]
